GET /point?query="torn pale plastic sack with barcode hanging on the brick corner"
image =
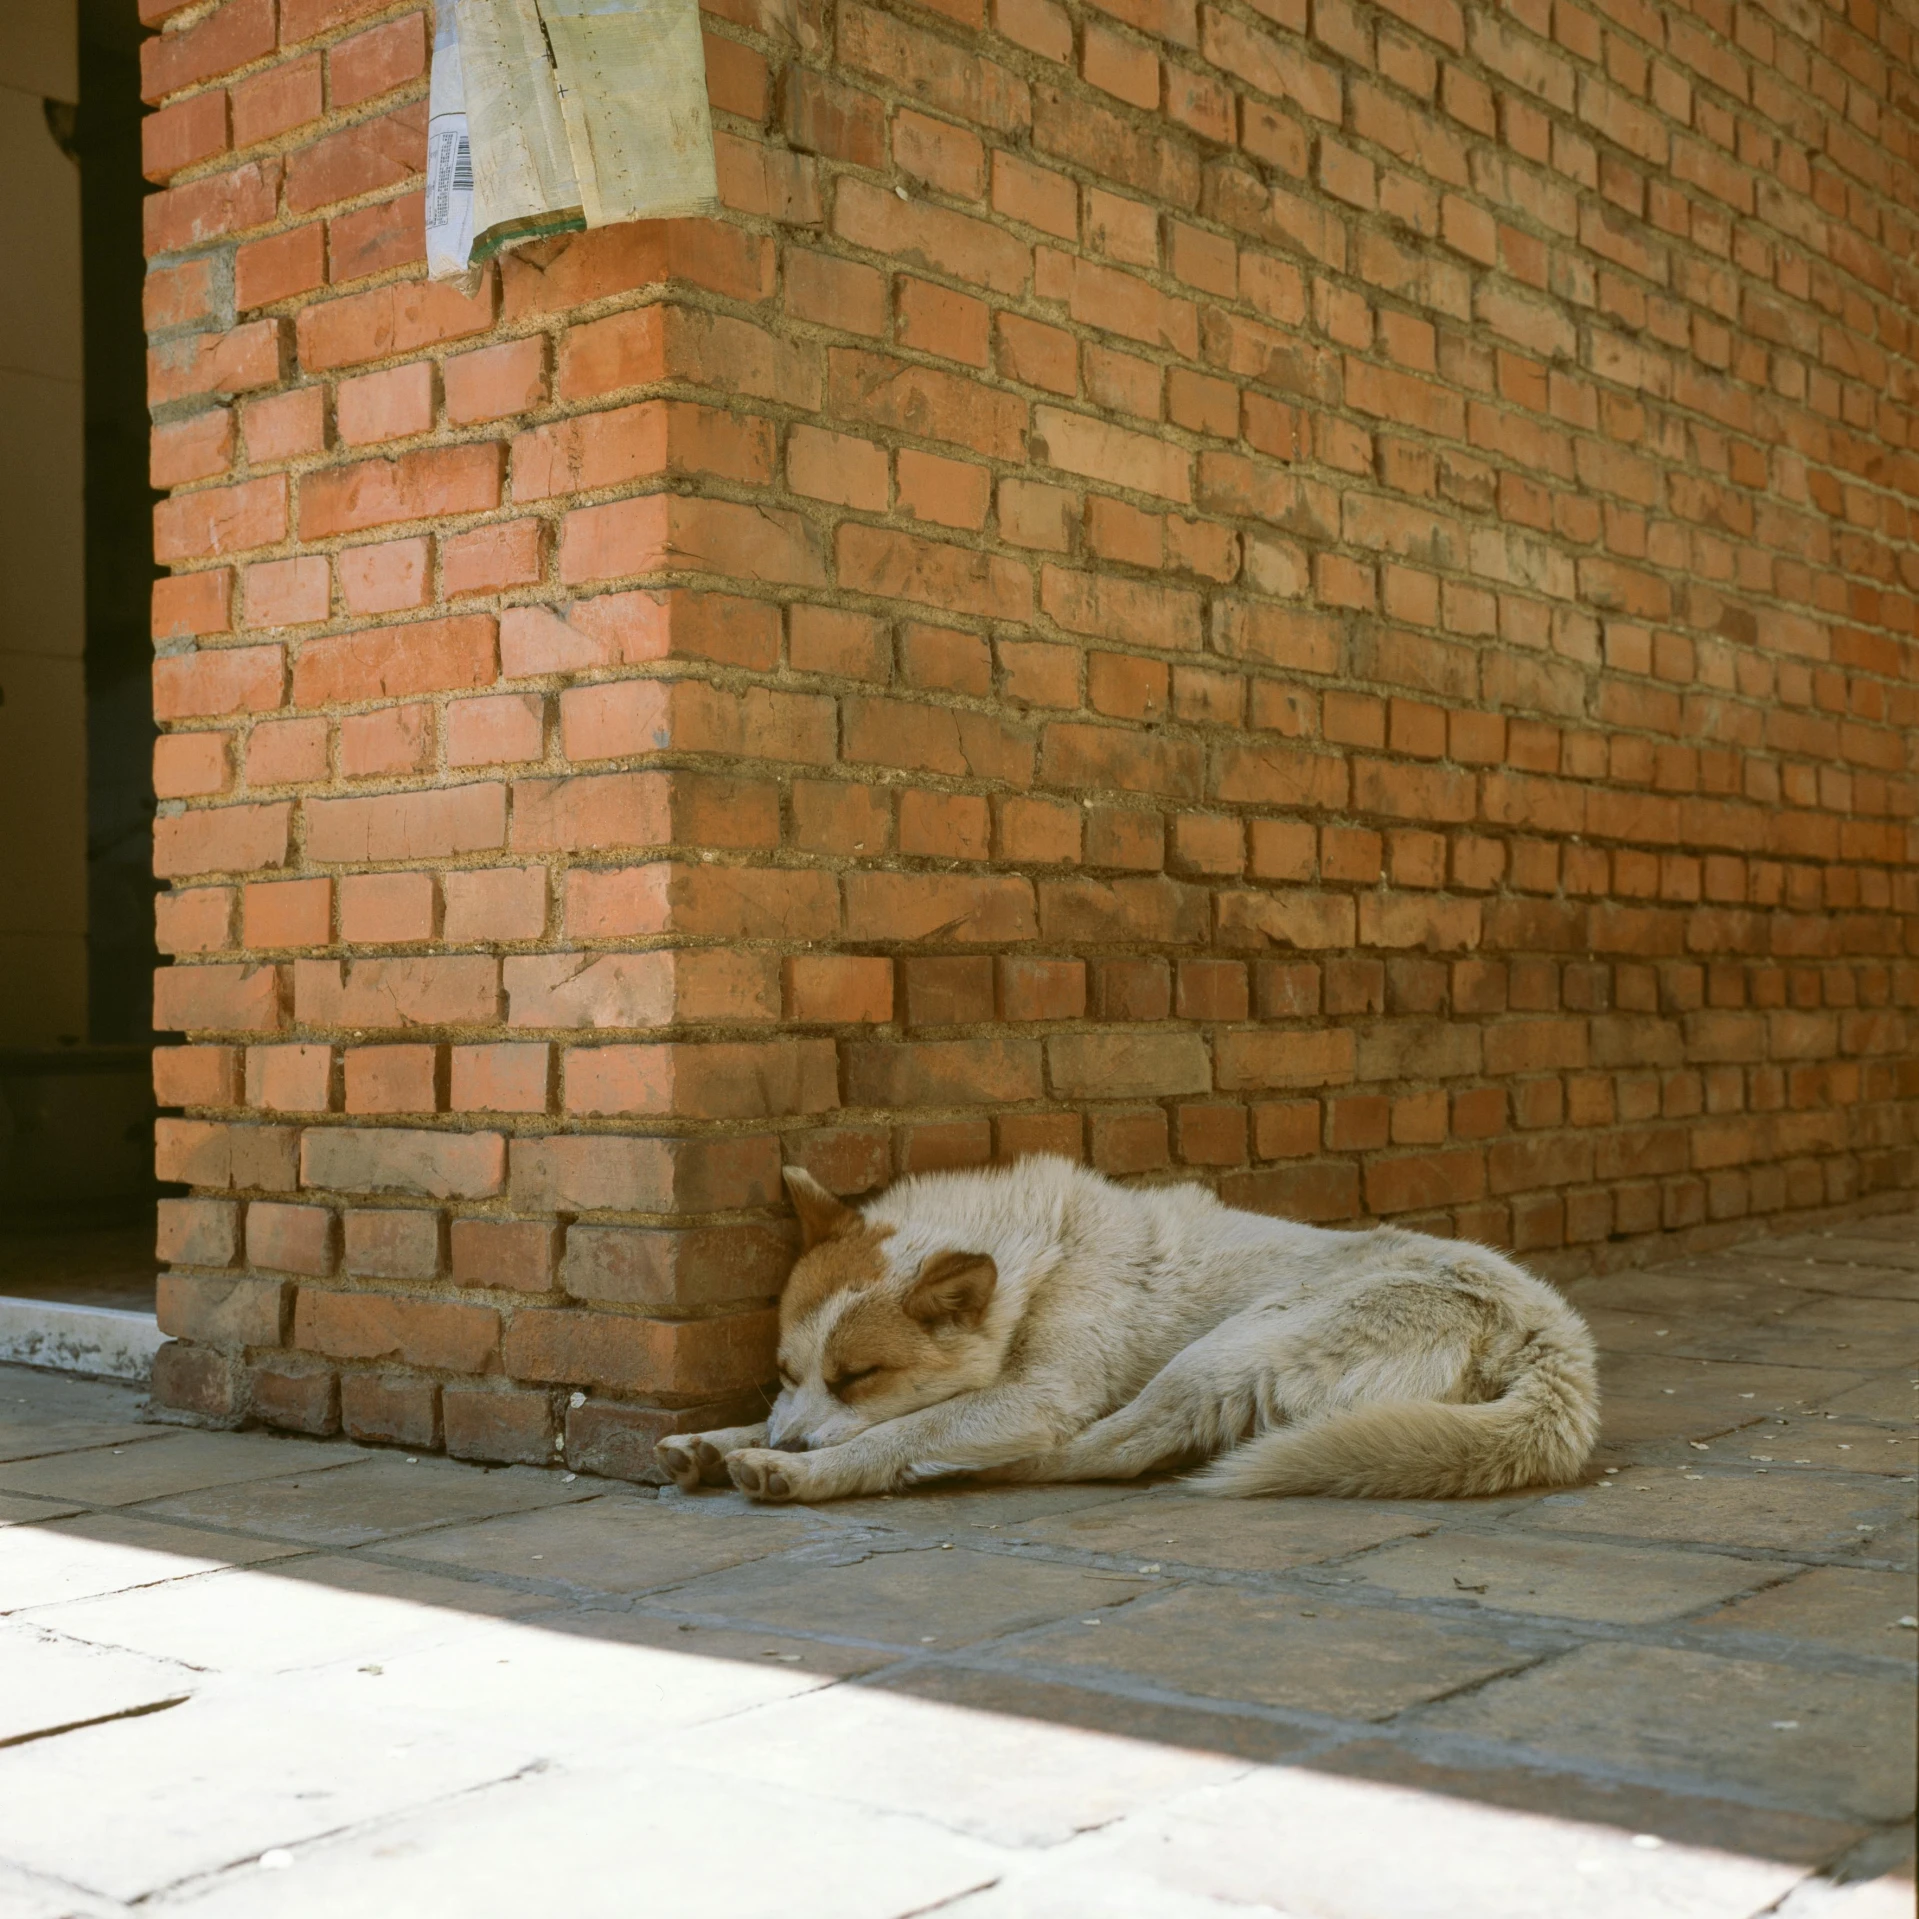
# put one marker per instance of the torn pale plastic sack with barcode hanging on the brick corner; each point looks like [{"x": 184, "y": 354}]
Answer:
[{"x": 577, "y": 114}]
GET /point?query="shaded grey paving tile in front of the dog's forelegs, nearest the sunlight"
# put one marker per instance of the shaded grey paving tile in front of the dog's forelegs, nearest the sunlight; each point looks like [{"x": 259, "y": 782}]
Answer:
[{"x": 905, "y": 1598}]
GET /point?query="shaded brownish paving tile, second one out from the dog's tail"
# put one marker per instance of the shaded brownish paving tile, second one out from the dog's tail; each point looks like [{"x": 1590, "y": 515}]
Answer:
[{"x": 1314, "y": 1655}]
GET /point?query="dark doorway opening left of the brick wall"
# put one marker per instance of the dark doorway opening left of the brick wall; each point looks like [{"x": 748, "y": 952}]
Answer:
[{"x": 76, "y": 669}]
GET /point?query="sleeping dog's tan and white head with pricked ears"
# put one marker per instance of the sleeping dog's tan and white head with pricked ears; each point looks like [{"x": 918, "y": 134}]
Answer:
[{"x": 861, "y": 1339}]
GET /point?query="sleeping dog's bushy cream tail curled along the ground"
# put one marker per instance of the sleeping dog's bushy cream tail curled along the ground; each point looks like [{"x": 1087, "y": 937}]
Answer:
[{"x": 1538, "y": 1433}]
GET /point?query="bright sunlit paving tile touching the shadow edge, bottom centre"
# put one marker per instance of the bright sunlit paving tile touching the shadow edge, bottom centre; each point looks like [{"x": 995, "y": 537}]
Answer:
[{"x": 1016, "y": 1782}]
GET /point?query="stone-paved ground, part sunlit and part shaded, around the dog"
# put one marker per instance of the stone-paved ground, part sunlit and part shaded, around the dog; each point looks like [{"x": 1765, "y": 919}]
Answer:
[{"x": 254, "y": 1676}]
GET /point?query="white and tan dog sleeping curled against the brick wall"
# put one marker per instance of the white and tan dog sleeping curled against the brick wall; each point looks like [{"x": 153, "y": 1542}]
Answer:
[{"x": 1041, "y": 1323}]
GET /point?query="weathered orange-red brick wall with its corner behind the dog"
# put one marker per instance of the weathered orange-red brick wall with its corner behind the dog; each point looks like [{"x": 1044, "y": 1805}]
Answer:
[{"x": 1310, "y": 596}]
